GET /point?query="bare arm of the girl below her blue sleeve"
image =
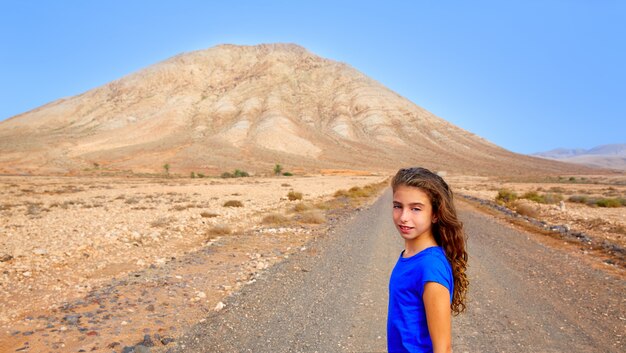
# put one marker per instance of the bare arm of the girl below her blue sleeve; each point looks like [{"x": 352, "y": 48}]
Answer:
[{"x": 438, "y": 316}]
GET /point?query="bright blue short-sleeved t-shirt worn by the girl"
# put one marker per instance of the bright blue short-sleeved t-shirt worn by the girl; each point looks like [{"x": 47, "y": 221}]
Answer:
[{"x": 407, "y": 330}]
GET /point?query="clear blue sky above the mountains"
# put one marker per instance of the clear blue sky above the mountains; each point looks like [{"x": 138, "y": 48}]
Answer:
[{"x": 528, "y": 75}]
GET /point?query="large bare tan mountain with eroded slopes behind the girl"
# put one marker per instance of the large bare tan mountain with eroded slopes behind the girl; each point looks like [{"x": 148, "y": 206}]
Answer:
[{"x": 247, "y": 107}]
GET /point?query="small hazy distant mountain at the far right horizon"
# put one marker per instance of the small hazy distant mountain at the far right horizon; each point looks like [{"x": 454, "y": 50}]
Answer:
[{"x": 612, "y": 156}]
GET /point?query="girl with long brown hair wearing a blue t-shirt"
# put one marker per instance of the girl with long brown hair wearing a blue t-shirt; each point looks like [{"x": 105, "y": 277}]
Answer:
[{"x": 428, "y": 283}]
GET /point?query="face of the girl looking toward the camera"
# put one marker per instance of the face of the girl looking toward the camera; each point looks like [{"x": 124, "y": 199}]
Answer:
[{"x": 412, "y": 212}]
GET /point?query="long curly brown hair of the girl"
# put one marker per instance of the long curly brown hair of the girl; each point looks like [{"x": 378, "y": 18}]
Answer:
[{"x": 447, "y": 230}]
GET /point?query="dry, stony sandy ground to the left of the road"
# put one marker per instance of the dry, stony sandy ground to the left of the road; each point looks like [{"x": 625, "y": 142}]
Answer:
[{"x": 68, "y": 243}]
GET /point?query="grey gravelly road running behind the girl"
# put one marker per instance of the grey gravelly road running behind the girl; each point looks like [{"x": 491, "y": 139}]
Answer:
[{"x": 332, "y": 297}]
